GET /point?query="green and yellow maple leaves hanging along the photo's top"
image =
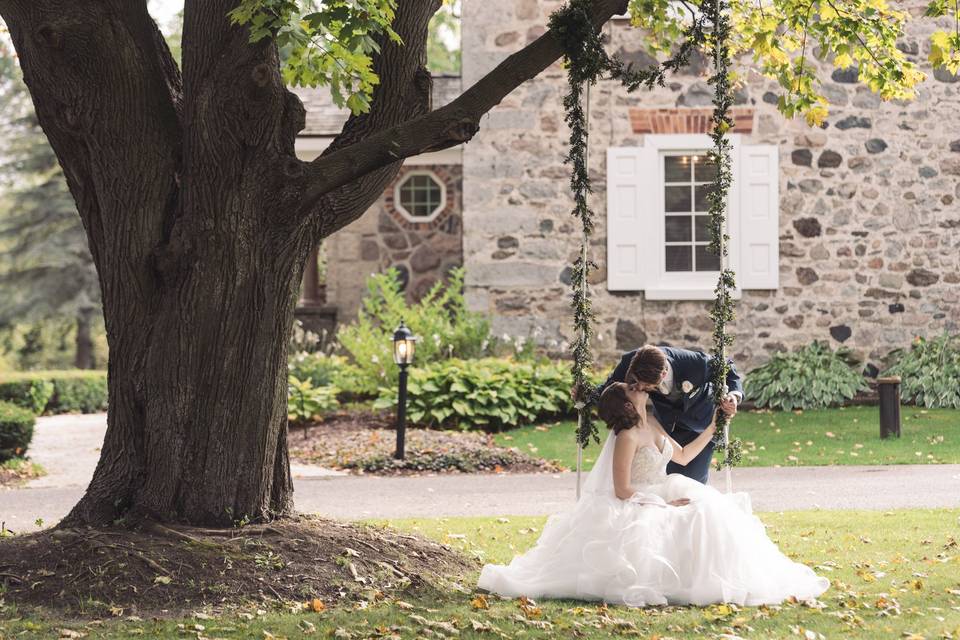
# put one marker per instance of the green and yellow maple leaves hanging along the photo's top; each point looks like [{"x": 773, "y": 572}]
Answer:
[{"x": 330, "y": 43}]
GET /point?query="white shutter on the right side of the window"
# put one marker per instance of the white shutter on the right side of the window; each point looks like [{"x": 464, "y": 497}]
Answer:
[{"x": 759, "y": 228}]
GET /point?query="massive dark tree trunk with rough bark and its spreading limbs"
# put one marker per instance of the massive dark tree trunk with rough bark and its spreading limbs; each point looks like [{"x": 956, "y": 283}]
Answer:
[{"x": 200, "y": 219}]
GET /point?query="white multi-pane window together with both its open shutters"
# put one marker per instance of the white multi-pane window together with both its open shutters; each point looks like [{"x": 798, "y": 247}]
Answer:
[{"x": 657, "y": 231}]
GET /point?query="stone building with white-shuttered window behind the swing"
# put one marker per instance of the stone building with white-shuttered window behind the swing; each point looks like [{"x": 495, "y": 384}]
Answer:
[{"x": 848, "y": 233}]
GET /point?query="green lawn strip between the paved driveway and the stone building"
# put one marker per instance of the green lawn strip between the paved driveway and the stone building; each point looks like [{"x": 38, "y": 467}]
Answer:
[{"x": 848, "y": 435}]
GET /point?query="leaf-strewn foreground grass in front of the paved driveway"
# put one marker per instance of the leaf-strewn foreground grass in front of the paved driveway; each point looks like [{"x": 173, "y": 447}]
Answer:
[{"x": 894, "y": 574}]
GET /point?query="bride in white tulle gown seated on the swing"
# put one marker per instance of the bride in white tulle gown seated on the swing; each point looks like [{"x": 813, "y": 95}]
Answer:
[{"x": 640, "y": 537}]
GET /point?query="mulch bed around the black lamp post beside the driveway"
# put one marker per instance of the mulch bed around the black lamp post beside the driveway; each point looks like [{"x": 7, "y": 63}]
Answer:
[{"x": 364, "y": 442}]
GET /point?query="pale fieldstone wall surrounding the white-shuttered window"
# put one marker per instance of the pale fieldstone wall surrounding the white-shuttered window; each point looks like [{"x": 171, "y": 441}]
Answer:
[{"x": 869, "y": 218}]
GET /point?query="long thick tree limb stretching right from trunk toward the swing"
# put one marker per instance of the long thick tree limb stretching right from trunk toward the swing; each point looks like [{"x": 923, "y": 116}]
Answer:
[{"x": 442, "y": 128}]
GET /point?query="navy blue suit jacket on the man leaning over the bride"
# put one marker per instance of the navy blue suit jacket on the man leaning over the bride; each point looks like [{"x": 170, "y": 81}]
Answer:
[{"x": 695, "y": 409}]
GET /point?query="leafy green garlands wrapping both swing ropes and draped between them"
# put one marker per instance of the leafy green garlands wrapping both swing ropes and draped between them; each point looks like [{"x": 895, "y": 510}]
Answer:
[{"x": 587, "y": 62}]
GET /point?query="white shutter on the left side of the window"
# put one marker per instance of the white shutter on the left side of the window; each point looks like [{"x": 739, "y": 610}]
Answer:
[{"x": 627, "y": 203}]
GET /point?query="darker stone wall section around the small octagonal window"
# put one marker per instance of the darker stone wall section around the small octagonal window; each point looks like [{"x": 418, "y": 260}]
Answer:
[{"x": 382, "y": 238}]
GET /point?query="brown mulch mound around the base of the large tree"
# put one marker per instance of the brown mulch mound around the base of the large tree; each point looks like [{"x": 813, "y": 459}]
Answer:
[{"x": 162, "y": 570}]
